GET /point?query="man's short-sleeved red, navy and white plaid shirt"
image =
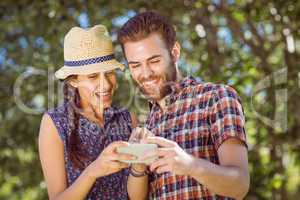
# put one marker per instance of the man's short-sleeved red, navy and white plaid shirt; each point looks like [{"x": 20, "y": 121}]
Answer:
[{"x": 199, "y": 117}]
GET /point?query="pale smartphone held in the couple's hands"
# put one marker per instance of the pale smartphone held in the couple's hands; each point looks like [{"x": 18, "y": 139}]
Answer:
[{"x": 138, "y": 150}]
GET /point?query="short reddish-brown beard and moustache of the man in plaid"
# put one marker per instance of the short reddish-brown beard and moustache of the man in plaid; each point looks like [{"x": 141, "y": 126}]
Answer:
[{"x": 169, "y": 79}]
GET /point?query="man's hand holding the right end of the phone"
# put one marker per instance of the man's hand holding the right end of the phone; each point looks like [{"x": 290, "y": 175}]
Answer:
[{"x": 172, "y": 158}]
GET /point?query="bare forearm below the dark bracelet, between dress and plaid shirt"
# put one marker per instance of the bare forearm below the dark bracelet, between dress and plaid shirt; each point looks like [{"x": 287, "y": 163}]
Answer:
[{"x": 137, "y": 187}]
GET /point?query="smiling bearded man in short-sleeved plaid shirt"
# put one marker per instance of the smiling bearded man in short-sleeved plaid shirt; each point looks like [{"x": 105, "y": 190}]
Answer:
[{"x": 199, "y": 127}]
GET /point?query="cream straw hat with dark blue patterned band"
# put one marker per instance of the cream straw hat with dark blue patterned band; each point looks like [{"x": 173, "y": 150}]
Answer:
[{"x": 87, "y": 51}]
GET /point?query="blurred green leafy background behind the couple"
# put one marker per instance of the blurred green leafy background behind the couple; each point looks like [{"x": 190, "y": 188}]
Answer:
[{"x": 252, "y": 45}]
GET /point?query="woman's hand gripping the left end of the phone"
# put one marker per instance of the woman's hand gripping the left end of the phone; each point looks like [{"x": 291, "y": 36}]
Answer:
[{"x": 108, "y": 161}]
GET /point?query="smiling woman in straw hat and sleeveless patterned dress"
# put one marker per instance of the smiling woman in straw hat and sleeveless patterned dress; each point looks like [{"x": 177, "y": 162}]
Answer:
[{"x": 78, "y": 140}]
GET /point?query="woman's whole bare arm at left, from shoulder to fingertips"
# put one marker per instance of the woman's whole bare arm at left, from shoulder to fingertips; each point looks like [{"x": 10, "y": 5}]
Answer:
[{"x": 52, "y": 159}]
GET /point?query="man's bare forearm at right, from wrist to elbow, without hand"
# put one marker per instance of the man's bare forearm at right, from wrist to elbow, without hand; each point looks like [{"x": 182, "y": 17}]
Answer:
[{"x": 228, "y": 181}]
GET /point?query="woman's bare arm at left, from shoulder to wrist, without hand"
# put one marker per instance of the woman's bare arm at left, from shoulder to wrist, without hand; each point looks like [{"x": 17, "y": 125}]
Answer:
[{"x": 51, "y": 152}]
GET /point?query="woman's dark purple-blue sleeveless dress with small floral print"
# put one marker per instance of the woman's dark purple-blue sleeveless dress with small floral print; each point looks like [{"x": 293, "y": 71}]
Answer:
[{"x": 117, "y": 127}]
